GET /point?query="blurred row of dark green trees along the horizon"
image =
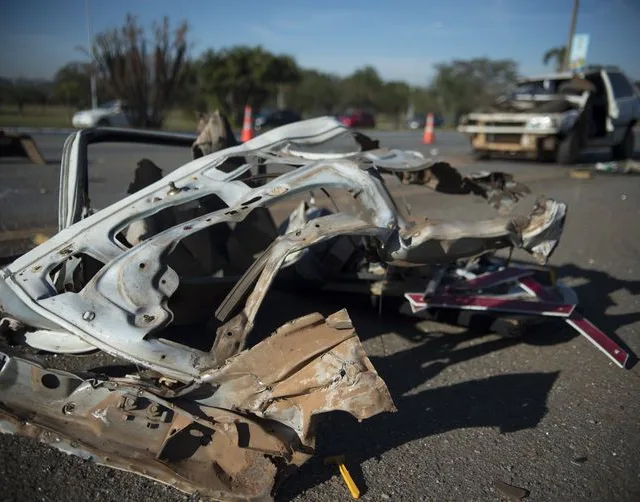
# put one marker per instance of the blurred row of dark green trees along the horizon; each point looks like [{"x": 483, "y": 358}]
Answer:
[{"x": 152, "y": 72}]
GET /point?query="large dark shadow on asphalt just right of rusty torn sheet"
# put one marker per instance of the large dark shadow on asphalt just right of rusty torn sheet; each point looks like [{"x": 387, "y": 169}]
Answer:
[{"x": 510, "y": 402}]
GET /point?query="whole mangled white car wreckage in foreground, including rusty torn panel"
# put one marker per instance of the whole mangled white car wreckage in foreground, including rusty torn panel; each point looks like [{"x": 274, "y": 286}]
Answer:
[{"x": 227, "y": 421}]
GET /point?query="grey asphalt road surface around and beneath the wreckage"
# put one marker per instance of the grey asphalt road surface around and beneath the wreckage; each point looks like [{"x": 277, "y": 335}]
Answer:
[{"x": 546, "y": 412}]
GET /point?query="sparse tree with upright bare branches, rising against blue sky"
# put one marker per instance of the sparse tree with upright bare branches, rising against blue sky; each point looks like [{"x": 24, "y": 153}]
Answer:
[{"x": 146, "y": 74}]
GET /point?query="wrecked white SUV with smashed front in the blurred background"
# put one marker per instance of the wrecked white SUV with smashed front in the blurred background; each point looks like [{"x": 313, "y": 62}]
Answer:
[{"x": 554, "y": 117}]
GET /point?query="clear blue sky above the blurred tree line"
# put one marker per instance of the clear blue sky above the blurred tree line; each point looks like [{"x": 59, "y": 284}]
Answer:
[{"x": 401, "y": 38}]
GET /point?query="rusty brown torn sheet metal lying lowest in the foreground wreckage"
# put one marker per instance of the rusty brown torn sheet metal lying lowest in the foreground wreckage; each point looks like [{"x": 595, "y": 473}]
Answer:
[{"x": 231, "y": 440}]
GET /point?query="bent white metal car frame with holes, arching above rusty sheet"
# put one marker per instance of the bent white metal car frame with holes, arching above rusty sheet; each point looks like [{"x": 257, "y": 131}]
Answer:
[{"x": 124, "y": 307}]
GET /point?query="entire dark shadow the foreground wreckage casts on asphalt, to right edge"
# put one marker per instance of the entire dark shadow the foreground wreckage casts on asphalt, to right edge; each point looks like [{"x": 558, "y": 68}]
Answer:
[{"x": 509, "y": 402}]
